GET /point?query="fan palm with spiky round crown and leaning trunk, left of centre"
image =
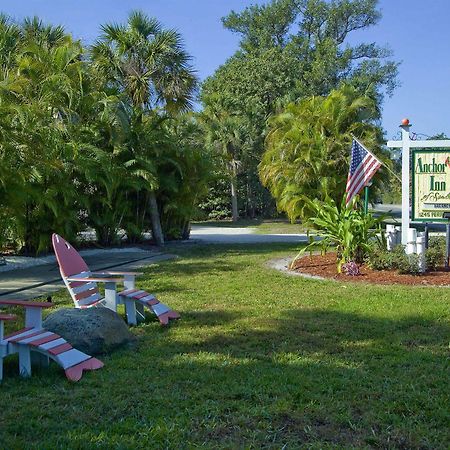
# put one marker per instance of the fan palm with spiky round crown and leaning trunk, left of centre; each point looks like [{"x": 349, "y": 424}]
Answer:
[{"x": 149, "y": 66}]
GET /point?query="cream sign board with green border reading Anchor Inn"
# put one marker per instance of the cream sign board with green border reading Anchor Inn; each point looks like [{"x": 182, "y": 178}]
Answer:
[{"x": 430, "y": 185}]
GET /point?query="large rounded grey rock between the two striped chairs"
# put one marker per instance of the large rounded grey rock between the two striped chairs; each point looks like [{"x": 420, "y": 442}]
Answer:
[{"x": 93, "y": 330}]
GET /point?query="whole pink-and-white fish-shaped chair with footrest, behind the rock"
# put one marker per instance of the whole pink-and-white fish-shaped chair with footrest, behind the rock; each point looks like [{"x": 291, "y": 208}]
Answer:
[{"x": 82, "y": 286}]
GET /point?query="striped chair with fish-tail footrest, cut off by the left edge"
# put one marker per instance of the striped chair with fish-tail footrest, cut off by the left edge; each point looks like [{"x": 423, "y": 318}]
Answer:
[{"x": 34, "y": 342}]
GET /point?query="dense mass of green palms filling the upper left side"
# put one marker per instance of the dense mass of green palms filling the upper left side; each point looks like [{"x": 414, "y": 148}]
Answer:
[{"x": 83, "y": 142}]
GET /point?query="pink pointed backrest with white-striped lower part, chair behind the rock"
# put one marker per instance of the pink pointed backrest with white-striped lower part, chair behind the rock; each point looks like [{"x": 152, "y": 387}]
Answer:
[{"x": 71, "y": 264}]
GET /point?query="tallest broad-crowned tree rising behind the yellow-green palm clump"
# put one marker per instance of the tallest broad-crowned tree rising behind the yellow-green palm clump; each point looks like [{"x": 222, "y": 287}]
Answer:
[{"x": 294, "y": 49}]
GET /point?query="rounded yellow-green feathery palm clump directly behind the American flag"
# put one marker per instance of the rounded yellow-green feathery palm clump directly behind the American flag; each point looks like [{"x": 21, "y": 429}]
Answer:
[{"x": 308, "y": 148}]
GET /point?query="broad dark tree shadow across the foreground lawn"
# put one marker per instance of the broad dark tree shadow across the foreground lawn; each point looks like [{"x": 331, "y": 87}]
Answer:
[{"x": 313, "y": 377}]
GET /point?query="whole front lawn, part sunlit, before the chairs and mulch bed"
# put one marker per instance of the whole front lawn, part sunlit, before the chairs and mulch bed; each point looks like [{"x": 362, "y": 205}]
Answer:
[{"x": 259, "y": 360}]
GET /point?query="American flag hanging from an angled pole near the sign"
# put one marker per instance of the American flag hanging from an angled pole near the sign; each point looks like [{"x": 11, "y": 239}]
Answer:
[{"x": 363, "y": 166}]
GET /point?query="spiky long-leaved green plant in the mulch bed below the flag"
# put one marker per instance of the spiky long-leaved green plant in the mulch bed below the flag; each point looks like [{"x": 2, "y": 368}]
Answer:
[{"x": 349, "y": 230}]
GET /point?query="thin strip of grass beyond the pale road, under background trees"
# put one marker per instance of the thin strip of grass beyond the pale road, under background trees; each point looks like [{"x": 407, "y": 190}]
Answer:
[{"x": 260, "y": 226}]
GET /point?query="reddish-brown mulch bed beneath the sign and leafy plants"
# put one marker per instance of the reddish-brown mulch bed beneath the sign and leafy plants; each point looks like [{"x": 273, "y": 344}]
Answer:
[{"x": 325, "y": 266}]
